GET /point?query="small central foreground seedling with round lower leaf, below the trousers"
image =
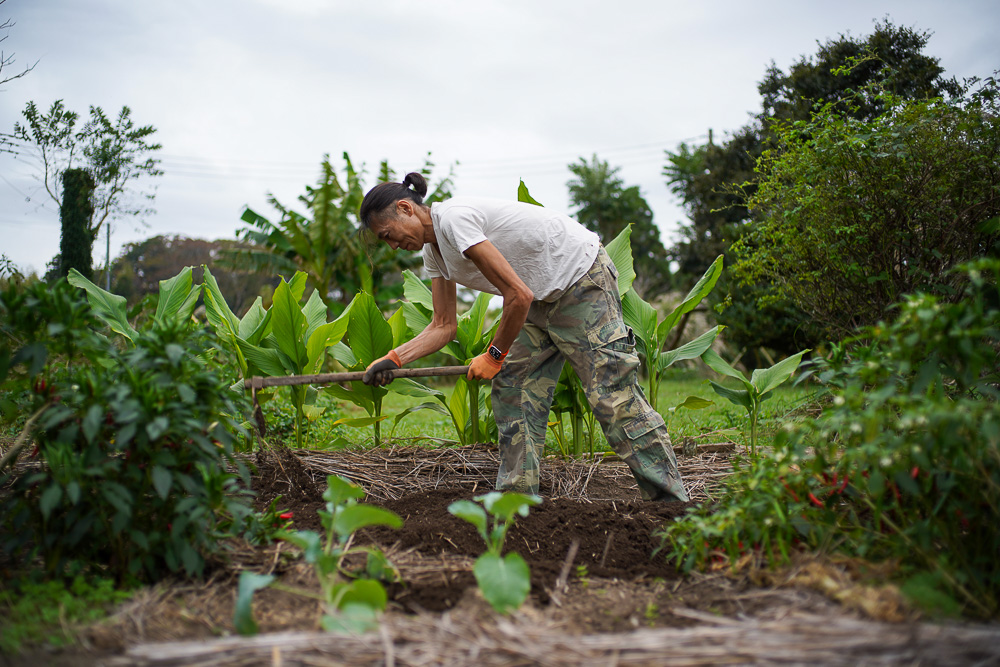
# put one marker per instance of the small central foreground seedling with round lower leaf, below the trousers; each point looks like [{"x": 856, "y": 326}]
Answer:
[{"x": 505, "y": 581}]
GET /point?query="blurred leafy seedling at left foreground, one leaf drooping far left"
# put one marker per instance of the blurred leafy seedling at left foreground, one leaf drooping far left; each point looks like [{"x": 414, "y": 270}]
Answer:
[{"x": 351, "y": 600}]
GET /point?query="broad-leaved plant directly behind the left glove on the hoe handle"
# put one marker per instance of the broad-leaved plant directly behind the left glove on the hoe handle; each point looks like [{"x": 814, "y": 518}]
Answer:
[{"x": 370, "y": 337}]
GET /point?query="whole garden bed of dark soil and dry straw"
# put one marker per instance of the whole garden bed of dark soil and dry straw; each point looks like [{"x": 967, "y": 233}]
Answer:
[{"x": 605, "y": 601}]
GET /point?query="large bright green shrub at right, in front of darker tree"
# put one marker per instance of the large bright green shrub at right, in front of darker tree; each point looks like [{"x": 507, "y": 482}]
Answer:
[{"x": 851, "y": 213}]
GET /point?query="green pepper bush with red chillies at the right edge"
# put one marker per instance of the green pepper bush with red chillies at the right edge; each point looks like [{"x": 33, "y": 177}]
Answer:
[{"x": 903, "y": 464}]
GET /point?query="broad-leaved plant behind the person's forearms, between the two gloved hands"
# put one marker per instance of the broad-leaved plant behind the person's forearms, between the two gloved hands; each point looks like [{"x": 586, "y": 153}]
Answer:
[{"x": 467, "y": 405}]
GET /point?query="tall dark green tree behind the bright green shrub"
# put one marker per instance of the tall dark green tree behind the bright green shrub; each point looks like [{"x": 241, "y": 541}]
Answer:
[{"x": 712, "y": 181}]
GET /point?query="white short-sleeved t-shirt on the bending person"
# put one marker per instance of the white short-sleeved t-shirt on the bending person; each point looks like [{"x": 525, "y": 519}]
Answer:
[{"x": 548, "y": 250}]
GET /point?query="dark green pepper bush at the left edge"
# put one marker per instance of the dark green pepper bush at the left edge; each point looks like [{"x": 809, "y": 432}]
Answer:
[{"x": 134, "y": 444}]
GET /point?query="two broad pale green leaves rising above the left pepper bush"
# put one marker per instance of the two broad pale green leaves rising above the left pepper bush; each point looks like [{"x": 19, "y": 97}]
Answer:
[{"x": 177, "y": 299}]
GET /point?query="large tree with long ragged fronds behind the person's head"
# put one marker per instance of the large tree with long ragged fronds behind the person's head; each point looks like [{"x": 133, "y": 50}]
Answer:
[{"x": 324, "y": 242}]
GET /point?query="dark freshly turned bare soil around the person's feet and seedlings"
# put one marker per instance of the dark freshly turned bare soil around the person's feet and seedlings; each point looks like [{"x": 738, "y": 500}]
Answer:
[{"x": 614, "y": 538}]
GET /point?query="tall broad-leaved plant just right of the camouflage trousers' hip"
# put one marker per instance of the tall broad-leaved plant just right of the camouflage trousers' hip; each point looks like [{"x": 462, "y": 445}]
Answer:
[{"x": 652, "y": 336}]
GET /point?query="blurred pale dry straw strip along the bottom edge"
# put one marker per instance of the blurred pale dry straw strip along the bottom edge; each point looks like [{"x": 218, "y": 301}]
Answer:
[{"x": 526, "y": 639}]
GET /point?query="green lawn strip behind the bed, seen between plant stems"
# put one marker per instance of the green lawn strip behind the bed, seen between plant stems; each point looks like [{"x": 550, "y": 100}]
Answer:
[{"x": 721, "y": 420}]
